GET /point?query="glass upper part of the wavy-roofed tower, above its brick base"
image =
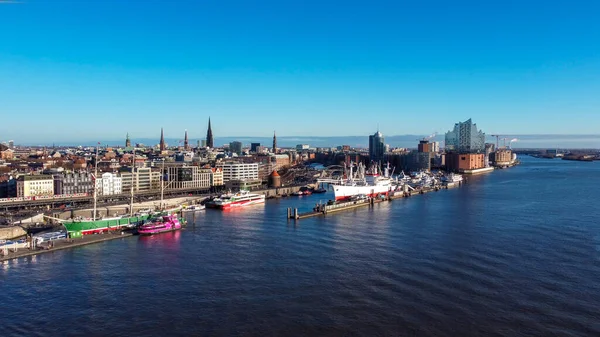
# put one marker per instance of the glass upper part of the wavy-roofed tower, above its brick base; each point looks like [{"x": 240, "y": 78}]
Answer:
[{"x": 465, "y": 138}]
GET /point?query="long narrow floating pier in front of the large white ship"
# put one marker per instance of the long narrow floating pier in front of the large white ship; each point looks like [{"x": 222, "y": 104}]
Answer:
[{"x": 324, "y": 209}]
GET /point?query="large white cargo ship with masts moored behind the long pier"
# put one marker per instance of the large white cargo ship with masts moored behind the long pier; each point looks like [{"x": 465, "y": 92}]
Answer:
[{"x": 370, "y": 183}]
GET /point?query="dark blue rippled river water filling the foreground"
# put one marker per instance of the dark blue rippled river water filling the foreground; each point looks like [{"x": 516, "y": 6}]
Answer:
[{"x": 512, "y": 253}]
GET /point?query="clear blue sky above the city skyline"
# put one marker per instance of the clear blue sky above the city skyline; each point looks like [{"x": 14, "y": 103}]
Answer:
[{"x": 81, "y": 70}]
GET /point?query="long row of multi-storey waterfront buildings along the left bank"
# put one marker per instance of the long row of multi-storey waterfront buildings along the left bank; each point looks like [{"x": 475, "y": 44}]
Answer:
[{"x": 232, "y": 175}]
